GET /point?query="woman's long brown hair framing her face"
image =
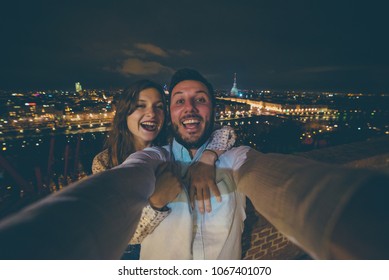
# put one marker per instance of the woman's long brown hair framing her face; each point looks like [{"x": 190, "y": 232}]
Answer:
[{"x": 120, "y": 141}]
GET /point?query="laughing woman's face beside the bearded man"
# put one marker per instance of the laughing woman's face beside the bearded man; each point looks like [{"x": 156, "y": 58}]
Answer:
[{"x": 146, "y": 121}]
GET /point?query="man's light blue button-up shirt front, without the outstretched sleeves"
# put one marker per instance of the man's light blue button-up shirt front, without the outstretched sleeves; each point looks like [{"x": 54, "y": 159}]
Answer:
[{"x": 188, "y": 234}]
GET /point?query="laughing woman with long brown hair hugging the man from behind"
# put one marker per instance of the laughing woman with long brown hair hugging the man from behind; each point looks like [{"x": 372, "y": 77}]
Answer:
[{"x": 140, "y": 122}]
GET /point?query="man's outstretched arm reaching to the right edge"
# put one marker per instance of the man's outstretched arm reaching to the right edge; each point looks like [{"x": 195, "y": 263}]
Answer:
[{"x": 332, "y": 212}]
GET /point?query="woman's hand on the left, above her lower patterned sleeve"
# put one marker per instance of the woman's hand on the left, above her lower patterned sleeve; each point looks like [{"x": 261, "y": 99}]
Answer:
[{"x": 167, "y": 186}]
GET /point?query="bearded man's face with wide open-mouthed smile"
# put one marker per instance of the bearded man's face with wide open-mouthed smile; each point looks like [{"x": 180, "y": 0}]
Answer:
[{"x": 191, "y": 113}]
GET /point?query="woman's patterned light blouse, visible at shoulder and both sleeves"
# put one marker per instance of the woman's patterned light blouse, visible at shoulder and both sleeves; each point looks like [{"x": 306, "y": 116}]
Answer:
[{"x": 221, "y": 140}]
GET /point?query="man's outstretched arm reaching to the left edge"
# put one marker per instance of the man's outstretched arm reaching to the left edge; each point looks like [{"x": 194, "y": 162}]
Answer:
[{"x": 90, "y": 219}]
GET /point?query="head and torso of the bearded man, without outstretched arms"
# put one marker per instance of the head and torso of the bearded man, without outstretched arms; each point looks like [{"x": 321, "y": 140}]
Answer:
[{"x": 188, "y": 233}]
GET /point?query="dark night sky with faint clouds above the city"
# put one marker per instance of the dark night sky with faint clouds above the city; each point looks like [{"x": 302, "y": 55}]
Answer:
[{"x": 280, "y": 45}]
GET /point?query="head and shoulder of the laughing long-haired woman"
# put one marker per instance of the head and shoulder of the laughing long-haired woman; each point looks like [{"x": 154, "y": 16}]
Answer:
[{"x": 139, "y": 122}]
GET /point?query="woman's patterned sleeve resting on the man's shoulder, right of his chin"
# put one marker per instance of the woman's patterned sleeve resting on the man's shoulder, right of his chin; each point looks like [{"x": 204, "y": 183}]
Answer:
[{"x": 222, "y": 139}]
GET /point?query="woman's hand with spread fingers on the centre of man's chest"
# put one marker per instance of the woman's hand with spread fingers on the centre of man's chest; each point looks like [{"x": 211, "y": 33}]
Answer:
[{"x": 202, "y": 181}]
